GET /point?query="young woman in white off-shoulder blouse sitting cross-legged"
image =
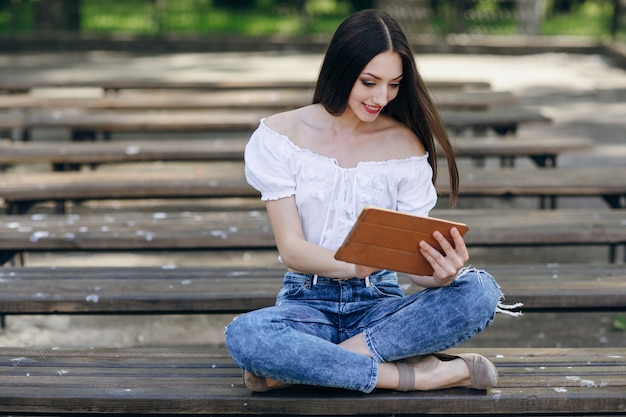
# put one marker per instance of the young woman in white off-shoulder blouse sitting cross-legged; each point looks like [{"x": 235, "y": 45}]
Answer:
[{"x": 367, "y": 140}]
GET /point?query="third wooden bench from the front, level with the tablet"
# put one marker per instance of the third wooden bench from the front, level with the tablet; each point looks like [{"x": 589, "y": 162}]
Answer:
[{"x": 190, "y": 231}]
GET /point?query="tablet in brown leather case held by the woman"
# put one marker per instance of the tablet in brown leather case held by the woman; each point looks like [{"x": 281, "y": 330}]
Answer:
[{"x": 389, "y": 239}]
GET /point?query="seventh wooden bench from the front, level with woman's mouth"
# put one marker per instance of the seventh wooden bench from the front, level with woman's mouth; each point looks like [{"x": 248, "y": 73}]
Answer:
[{"x": 277, "y": 99}]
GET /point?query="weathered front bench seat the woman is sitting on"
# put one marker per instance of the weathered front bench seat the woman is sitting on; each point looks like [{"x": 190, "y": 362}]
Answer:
[{"x": 205, "y": 381}]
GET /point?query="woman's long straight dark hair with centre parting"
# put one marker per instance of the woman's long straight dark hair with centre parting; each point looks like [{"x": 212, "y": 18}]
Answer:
[{"x": 355, "y": 43}]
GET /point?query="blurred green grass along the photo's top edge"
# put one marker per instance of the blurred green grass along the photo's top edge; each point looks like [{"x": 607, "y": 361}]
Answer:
[{"x": 201, "y": 17}]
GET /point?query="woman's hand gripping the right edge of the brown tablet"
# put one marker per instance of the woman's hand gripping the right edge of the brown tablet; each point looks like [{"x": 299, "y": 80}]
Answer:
[{"x": 446, "y": 265}]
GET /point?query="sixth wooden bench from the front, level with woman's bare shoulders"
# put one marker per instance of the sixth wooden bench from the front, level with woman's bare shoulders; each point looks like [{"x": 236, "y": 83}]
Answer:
[{"x": 87, "y": 124}]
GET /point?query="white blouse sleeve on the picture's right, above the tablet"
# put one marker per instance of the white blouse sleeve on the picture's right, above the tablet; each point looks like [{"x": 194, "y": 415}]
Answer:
[{"x": 416, "y": 192}]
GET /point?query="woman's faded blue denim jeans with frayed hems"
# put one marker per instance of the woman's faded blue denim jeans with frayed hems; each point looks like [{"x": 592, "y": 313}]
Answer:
[{"x": 296, "y": 340}]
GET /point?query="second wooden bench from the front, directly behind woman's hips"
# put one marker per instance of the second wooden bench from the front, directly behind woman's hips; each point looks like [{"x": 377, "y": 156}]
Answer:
[{"x": 217, "y": 290}]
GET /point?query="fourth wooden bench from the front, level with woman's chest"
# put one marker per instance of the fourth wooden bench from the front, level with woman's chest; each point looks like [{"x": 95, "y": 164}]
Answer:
[{"x": 21, "y": 191}]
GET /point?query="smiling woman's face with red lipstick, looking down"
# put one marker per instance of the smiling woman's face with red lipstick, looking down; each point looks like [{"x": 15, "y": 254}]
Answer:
[{"x": 376, "y": 86}]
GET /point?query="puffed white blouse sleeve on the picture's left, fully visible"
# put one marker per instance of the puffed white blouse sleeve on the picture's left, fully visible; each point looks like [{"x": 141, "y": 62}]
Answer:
[{"x": 267, "y": 165}]
